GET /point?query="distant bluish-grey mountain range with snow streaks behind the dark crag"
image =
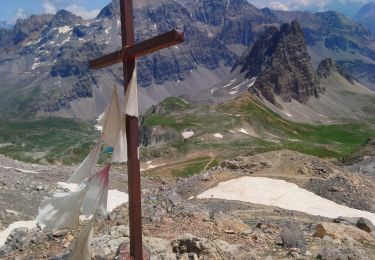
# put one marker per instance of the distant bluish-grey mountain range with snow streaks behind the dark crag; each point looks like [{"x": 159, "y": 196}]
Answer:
[{"x": 43, "y": 59}]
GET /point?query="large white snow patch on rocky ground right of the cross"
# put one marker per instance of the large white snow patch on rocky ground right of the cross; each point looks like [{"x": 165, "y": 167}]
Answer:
[{"x": 282, "y": 194}]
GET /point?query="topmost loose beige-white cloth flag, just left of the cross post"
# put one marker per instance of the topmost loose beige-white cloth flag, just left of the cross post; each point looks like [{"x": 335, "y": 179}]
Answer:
[{"x": 111, "y": 122}]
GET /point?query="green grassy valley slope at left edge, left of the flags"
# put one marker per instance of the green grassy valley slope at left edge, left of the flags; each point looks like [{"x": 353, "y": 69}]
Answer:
[{"x": 57, "y": 140}]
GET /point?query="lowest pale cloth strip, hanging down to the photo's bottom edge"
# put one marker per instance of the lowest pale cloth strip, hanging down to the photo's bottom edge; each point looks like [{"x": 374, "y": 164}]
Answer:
[{"x": 81, "y": 249}]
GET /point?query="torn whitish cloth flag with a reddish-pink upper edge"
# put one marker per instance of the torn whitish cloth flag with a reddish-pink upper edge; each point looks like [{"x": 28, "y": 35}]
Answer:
[{"x": 96, "y": 195}]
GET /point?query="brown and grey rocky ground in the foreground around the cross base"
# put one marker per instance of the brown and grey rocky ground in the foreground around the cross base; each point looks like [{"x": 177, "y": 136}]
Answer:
[{"x": 177, "y": 225}]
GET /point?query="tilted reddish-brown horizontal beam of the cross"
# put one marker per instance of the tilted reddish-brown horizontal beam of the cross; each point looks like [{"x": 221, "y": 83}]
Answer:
[{"x": 139, "y": 49}]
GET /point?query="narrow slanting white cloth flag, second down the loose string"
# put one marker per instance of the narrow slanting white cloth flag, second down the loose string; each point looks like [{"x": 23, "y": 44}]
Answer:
[{"x": 85, "y": 169}]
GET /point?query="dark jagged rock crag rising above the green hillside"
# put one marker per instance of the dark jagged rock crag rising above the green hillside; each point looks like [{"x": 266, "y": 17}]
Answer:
[{"x": 281, "y": 63}]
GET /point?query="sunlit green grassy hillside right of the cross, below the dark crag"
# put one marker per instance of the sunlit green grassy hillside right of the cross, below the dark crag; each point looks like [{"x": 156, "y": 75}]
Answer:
[{"x": 322, "y": 140}]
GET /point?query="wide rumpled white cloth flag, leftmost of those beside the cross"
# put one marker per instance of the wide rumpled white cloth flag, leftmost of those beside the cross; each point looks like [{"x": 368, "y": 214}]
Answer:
[{"x": 61, "y": 211}]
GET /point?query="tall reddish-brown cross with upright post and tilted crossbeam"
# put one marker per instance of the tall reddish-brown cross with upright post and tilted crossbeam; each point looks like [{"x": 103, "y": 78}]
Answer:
[{"x": 129, "y": 52}]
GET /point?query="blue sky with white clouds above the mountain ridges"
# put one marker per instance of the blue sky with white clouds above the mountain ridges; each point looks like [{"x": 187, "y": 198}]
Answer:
[{"x": 12, "y": 10}]
